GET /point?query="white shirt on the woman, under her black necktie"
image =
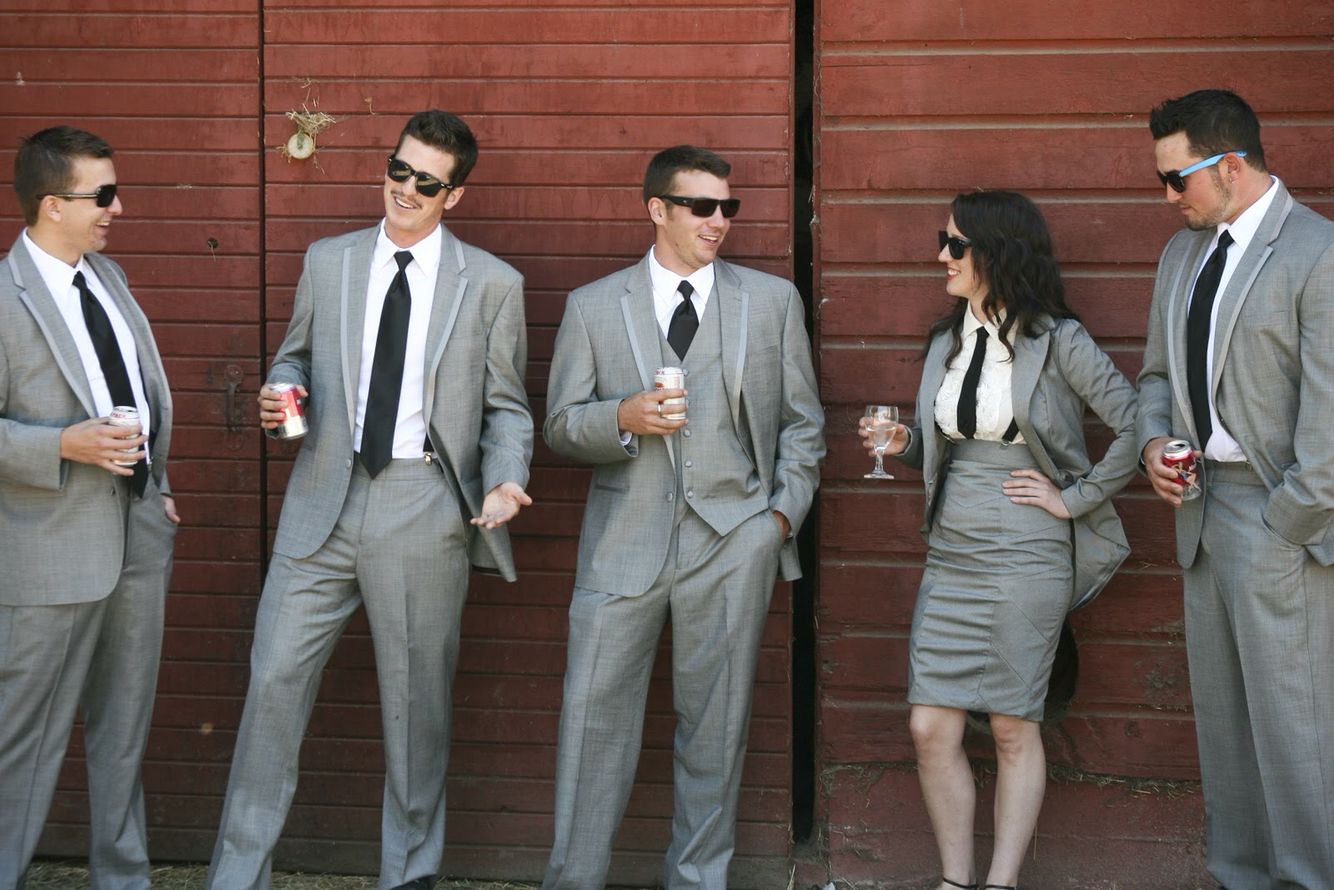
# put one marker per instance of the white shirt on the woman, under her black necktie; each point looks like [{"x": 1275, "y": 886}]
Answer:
[{"x": 996, "y": 405}]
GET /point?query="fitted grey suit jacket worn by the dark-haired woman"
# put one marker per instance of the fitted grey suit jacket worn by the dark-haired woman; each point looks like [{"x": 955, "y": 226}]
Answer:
[{"x": 1055, "y": 377}]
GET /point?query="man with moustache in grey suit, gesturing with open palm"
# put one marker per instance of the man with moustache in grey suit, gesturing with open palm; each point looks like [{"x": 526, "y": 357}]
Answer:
[{"x": 412, "y": 348}]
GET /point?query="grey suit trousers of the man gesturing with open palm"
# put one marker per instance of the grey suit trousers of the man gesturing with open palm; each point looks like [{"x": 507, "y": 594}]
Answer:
[{"x": 400, "y": 548}]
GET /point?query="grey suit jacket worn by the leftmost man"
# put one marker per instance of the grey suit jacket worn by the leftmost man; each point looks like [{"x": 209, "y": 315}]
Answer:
[{"x": 62, "y": 528}]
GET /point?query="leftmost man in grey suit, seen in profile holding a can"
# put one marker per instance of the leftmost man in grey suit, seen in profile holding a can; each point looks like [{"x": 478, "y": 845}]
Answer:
[{"x": 86, "y": 544}]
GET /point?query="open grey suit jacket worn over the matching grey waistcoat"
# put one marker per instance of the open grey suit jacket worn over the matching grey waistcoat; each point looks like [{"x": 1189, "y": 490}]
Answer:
[{"x": 608, "y": 350}]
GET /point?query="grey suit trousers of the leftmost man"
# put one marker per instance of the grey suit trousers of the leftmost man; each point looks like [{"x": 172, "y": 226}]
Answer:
[{"x": 99, "y": 658}]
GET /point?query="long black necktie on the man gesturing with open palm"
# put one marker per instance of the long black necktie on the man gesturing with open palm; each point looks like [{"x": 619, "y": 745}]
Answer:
[{"x": 392, "y": 344}]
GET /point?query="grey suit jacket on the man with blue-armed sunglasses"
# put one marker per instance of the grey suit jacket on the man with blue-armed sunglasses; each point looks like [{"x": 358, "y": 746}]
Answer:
[{"x": 1273, "y": 380}]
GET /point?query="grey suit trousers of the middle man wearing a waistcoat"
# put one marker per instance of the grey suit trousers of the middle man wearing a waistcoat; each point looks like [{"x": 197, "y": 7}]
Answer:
[{"x": 717, "y": 592}]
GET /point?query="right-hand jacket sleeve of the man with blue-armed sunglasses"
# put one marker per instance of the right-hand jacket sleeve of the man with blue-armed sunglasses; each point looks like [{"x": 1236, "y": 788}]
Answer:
[{"x": 1300, "y": 508}]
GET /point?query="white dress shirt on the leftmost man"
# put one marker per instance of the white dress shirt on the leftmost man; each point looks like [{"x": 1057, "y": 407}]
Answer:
[{"x": 59, "y": 278}]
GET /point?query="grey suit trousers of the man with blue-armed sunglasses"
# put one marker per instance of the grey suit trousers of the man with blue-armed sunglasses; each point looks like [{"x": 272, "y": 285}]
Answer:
[{"x": 1260, "y": 629}]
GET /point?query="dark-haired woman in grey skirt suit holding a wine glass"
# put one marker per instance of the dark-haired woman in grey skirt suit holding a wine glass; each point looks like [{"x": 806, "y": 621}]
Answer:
[{"x": 1019, "y": 522}]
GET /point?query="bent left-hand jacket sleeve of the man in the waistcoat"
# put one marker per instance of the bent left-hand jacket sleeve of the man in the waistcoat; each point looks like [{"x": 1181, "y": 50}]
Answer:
[{"x": 581, "y": 425}]
